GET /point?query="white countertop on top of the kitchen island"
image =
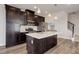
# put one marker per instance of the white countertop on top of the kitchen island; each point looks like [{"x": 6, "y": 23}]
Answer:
[{"x": 41, "y": 35}]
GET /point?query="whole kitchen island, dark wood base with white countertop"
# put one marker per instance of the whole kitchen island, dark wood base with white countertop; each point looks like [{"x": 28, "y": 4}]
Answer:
[{"x": 38, "y": 43}]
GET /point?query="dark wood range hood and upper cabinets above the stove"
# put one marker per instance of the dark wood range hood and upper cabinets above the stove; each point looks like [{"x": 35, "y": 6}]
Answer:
[{"x": 32, "y": 18}]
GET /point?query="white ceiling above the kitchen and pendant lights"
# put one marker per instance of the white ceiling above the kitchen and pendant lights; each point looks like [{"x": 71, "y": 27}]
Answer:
[{"x": 51, "y": 8}]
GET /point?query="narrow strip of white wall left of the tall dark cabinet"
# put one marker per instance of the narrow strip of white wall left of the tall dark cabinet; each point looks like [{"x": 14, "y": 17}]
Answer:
[{"x": 2, "y": 25}]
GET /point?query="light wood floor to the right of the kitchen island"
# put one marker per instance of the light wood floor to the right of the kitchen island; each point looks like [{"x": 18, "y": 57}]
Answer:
[{"x": 65, "y": 46}]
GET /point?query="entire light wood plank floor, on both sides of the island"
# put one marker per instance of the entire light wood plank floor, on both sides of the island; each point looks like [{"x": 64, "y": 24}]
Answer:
[{"x": 64, "y": 46}]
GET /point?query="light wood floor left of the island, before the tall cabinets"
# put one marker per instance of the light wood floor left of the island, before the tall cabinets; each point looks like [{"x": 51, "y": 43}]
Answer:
[{"x": 18, "y": 49}]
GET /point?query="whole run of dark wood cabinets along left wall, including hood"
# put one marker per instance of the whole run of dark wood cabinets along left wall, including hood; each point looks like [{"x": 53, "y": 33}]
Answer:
[{"x": 14, "y": 19}]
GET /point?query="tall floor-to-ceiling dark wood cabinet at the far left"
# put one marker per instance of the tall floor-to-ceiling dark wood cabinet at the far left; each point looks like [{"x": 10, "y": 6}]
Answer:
[{"x": 14, "y": 19}]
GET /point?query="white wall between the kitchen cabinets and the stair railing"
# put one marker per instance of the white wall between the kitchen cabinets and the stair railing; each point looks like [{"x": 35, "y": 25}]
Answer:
[{"x": 60, "y": 24}]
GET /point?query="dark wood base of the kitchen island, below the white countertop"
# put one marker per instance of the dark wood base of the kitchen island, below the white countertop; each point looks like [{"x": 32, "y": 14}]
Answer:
[{"x": 38, "y": 46}]
